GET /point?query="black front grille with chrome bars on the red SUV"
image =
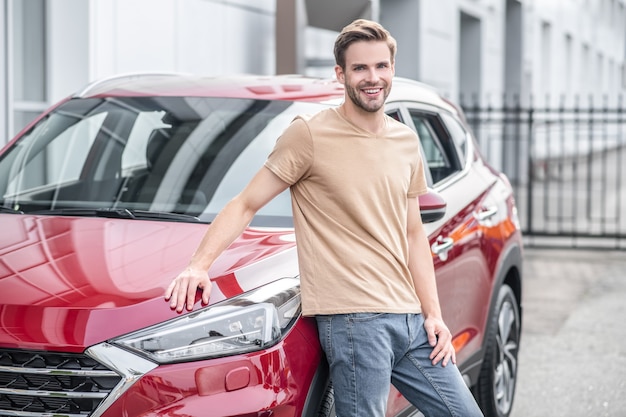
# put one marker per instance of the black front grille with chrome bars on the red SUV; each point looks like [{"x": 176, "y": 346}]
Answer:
[{"x": 44, "y": 383}]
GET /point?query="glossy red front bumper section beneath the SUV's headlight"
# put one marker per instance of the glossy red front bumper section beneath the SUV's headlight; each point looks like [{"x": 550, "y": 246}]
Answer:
[{"x": 279, "y": 378}]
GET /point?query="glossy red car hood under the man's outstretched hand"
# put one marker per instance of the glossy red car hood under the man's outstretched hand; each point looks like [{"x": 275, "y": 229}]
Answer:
[{"x": 67, "y": 283}]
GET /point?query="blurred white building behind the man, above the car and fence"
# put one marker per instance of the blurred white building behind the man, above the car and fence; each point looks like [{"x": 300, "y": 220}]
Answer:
[{"x": 483, "y": 48}]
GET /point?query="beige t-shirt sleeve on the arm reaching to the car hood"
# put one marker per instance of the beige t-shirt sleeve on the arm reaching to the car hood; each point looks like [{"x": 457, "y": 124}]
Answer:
[{"x": 292, "y": 155}]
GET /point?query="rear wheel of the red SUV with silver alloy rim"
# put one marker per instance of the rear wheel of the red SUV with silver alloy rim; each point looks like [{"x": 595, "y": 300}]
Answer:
[{"x": 496, "y": 384}]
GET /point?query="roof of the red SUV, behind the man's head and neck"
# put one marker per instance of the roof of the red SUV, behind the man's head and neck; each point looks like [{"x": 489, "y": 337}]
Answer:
[{"x": 260, "y": 87}]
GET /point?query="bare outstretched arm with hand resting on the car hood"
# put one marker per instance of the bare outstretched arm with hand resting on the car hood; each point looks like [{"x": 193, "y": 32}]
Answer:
[{"x": 226, "y": 227}]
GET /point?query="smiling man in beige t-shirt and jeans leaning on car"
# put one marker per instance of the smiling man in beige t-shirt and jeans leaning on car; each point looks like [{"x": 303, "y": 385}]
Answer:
[{"x": 366, "y": 269}]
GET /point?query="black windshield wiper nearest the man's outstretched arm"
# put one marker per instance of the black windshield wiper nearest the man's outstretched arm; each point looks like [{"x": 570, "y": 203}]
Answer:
[{"x": 119, "y": 213}]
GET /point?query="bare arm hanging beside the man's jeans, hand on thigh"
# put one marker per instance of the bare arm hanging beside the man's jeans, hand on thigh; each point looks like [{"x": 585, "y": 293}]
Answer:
[{"x": 423, "y": 273}]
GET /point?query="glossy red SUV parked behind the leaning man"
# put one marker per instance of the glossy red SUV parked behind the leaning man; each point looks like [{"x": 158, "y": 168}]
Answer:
[{"x": 104, "y": 198}]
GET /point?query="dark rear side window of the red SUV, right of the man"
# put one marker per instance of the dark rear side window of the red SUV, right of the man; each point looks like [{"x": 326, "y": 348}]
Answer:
[{"x": 439, "y": 150}]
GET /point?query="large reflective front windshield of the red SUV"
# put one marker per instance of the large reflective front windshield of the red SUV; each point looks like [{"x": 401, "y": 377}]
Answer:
[{"x": 184, "y": 155}]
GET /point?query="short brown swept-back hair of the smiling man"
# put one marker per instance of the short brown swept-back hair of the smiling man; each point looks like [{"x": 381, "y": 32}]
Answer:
[{"x": 362, "y": 30}]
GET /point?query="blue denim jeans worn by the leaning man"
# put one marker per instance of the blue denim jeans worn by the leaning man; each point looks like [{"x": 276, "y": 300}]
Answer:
[{"x": 368, "y": 351}]
